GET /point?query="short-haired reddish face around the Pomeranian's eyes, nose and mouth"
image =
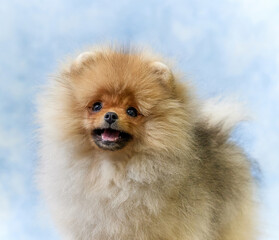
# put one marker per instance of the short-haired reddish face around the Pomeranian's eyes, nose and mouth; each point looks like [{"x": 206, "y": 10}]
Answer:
[{"x": 113, "y": 121}]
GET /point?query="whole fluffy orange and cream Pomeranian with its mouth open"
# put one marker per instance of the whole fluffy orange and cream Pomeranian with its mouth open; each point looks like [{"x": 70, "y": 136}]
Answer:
[{"x": 128, "y": 152}]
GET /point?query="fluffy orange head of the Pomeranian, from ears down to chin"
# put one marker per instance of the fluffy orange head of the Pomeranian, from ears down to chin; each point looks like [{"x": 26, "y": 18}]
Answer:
[{"x": 119, "y": 94}]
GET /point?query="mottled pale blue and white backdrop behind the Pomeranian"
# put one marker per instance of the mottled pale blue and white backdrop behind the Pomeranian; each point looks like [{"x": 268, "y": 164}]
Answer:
[{"x": 226, "y": 47}]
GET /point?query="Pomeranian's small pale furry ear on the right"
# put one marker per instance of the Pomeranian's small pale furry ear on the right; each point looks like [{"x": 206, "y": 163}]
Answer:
[{"x": 163, "y": 73}]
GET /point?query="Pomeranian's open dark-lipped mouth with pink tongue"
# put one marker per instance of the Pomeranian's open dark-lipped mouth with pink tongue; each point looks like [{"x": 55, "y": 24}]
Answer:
[{"x": 110, "y": 139}]
